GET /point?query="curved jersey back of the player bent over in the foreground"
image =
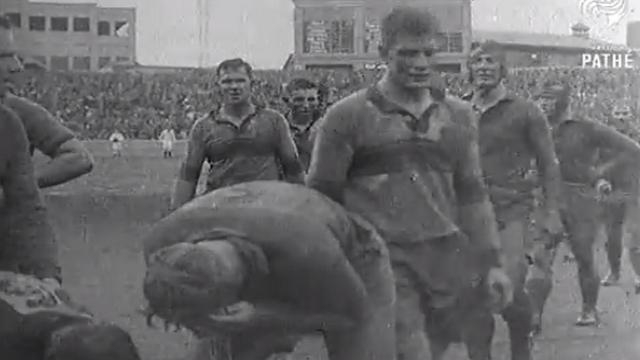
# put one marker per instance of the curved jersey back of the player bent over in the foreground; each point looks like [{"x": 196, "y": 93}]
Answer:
[{"x": 320, "y": 258}]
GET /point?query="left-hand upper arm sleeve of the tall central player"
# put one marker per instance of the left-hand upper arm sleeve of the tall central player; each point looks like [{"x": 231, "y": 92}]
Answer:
[{"x": 332, "y": 153}]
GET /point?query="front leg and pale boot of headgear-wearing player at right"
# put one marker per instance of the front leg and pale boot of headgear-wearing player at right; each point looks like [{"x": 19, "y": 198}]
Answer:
[{"x": 582, "y": 222}]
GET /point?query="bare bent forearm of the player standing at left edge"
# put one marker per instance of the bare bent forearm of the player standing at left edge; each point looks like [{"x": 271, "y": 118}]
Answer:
[{"x": 63, "y": 168}]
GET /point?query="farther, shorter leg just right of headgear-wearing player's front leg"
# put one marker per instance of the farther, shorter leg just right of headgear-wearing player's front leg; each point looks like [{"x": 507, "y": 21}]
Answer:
[{"x": 614, "y": 217}]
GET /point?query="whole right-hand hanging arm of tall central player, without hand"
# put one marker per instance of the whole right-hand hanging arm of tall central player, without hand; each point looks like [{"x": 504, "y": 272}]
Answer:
[{"x": 476, "y": 216}]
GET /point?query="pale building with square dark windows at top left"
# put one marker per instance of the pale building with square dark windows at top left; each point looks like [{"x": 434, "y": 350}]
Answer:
[{"x": 82, "y": 37}]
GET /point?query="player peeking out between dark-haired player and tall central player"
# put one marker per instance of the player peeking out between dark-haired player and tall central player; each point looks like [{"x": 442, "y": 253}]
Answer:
[{"x": 303, "y": 98}]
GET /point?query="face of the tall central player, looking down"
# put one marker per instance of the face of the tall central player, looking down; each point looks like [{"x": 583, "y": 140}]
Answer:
[{"x": 410, "y": 60}]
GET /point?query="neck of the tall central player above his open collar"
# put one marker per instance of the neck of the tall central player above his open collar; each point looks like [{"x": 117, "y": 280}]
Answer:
[{"x": 415, "y": 101}]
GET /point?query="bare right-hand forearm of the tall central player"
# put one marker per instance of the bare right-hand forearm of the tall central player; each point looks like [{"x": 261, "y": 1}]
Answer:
[{"x": 477, "y": 220}]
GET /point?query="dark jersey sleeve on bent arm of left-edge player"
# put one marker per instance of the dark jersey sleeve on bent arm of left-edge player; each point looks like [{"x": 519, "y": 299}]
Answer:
[{"x": 44, "y": 131}]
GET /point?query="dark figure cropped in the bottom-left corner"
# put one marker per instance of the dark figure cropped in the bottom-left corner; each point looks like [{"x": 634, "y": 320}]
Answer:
[{"x": 39, "y": 321}]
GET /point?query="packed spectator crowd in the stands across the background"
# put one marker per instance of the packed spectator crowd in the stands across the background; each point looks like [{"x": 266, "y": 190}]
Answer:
[{"x": 140, "y": 105}]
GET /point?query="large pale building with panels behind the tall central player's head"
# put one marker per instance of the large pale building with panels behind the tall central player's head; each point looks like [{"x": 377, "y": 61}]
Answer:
[{"x": 344, "y": 34}]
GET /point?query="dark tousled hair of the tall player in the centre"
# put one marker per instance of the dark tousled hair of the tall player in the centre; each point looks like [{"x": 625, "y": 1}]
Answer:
[{"x": 405, "y": 20}]
